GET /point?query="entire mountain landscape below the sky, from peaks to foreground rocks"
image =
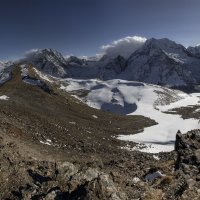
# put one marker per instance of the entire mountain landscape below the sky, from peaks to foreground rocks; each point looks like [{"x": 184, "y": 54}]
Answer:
[{"x": 73, "y": 128}]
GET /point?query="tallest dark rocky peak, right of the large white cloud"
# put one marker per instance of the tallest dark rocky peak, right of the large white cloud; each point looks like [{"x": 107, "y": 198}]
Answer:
[{"x": 161, "y": 62}]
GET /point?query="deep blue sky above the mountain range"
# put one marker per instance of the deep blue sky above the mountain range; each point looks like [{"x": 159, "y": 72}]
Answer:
[{"x": 81, "y": 27}]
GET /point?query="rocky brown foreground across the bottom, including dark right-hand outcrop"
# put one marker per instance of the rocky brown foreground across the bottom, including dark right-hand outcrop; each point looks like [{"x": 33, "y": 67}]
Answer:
[{"x": 35, "y": 178}]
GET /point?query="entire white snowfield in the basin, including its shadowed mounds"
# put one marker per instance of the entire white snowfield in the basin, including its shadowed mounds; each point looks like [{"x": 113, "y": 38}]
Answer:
[{"x": 134, "y": 98}]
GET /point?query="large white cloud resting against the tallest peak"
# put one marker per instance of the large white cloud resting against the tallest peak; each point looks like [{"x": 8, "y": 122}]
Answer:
[{"x": 124, "y": 46}]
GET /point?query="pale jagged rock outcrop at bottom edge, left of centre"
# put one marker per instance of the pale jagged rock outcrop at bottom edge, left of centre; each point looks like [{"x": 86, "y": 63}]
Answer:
[{"x": 64, "y": 180}]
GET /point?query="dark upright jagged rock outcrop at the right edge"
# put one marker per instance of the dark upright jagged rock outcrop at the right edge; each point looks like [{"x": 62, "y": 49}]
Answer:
[{"x": 187, "y": 166}]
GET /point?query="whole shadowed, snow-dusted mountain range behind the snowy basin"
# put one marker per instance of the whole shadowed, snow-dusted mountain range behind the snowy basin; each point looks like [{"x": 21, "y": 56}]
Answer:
[{"x": 159, "y": 61}]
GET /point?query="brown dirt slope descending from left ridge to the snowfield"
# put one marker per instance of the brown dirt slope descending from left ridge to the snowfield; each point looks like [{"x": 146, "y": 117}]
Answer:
[{"x": 39, "y": 126}]
